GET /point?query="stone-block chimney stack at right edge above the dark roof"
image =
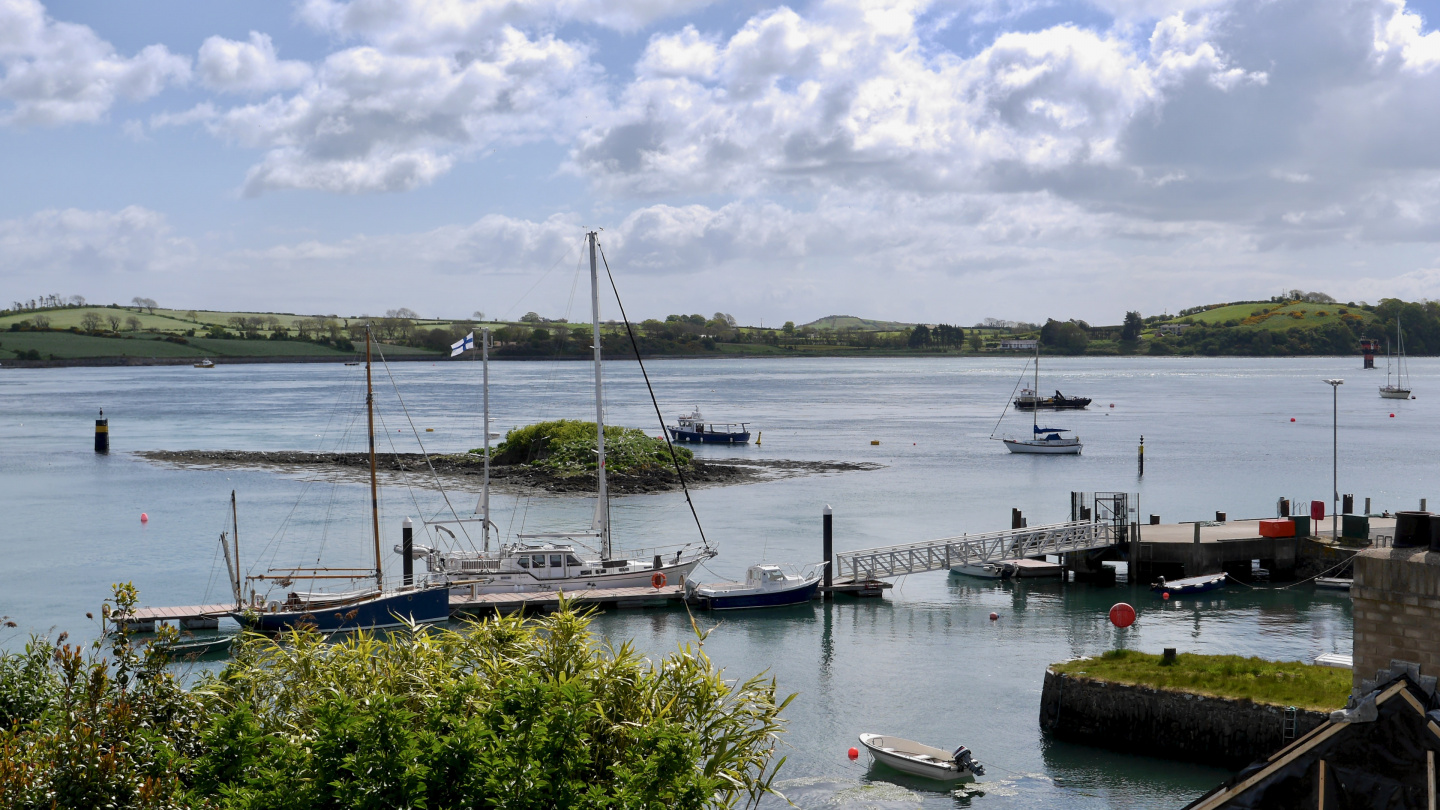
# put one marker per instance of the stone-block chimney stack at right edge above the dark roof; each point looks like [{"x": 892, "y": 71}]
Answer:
[{"x": 1398, "y": 610}]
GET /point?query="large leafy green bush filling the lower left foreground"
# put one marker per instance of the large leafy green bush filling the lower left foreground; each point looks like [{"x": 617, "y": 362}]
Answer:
[{"x": 503, "y": 714}]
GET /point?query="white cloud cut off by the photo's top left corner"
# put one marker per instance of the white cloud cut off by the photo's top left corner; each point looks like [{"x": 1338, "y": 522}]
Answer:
[{"x": 54, "y": 73}]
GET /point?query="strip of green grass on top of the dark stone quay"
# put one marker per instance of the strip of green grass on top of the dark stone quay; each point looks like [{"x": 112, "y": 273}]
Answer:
[{"x": 1282, "y": 684}]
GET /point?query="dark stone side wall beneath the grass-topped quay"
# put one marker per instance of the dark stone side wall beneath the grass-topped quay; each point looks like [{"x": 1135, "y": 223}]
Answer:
[{"x": 1158, "y": 723}]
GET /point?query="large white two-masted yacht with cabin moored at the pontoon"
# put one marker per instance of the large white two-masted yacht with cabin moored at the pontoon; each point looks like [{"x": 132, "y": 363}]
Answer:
[{"x": 555, "y": 561}]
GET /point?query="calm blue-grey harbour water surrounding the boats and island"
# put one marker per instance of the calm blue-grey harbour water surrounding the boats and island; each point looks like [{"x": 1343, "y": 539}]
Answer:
[{"x": 925, "y": 662}]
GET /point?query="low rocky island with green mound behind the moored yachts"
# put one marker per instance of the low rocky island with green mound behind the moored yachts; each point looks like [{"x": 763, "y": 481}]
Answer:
[{"x": 554, "y": 458}]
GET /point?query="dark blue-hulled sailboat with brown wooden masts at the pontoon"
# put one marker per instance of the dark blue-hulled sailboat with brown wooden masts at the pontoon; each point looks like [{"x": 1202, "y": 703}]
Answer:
[{"x": 368, "y": 606}]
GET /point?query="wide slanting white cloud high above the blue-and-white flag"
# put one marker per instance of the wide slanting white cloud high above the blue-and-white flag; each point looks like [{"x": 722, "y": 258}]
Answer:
[{"x": 377, "y": 122}]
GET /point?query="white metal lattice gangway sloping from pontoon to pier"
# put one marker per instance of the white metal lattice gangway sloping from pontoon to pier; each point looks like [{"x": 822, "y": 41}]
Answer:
[{"x": 973, "y": 550}]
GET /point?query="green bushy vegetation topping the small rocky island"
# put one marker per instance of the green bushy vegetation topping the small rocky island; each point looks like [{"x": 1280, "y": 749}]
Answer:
[{"x": 567, "y": 448}]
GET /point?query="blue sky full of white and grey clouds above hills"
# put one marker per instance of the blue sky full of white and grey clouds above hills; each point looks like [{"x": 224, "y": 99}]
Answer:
[{"x": 937, "y": 162}]
